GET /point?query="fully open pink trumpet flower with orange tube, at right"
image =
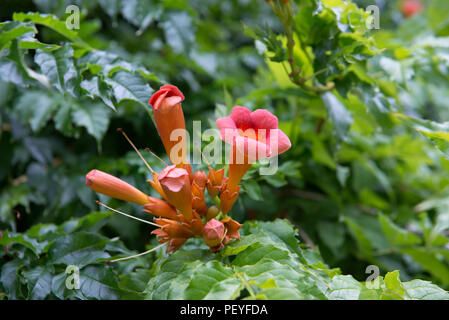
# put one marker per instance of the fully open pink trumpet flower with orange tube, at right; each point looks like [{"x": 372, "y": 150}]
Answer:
[{"x": 253, "y": 135}]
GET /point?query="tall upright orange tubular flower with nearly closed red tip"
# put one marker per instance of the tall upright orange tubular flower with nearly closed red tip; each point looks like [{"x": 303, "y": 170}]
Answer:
[{"x": 168, "y": 115}]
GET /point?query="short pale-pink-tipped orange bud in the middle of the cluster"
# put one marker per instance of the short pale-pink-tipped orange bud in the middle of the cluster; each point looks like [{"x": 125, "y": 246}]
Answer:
[{"x": 176, "y": 185}]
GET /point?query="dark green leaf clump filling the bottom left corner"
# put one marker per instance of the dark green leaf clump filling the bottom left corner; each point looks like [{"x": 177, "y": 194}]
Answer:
[{"x": 44, "y": 274}]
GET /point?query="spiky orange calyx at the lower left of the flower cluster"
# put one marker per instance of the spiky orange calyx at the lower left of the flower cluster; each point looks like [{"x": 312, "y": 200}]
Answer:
[{"x": 173, "y": 232}]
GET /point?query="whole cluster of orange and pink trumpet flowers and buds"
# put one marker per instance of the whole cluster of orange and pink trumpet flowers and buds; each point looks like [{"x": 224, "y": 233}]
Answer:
[{"x": 184, "y": 213}]
